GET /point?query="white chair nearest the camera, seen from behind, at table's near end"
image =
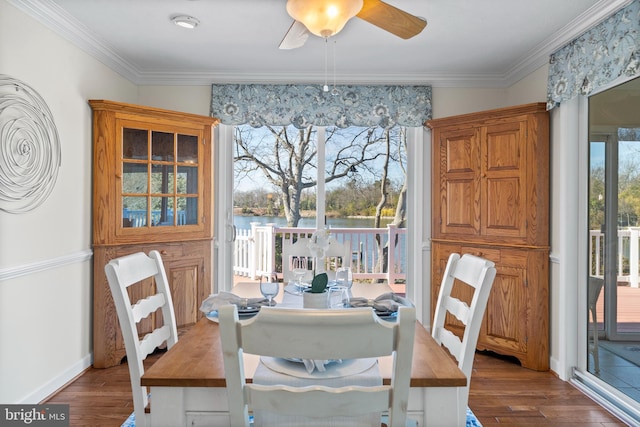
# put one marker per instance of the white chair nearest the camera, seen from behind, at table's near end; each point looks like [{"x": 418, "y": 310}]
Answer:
[{"x": 317, "y": 334}]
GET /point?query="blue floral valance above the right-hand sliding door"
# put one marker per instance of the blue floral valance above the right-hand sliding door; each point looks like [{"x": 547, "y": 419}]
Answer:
[{"x": 607, "y": 51}]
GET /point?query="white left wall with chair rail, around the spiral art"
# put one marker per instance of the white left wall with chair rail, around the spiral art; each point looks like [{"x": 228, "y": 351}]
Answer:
[{"x": 45, "y": 254}]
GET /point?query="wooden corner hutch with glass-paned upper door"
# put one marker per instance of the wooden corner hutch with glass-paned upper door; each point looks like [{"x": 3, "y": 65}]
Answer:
[{"x": 152, "y": 189}]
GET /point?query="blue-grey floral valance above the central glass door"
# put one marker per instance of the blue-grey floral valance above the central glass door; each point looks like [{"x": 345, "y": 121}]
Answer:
[{"x": 304, "y": 105}]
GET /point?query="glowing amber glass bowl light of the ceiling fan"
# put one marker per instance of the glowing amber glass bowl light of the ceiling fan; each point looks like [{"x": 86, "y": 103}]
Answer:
[{"x": 324, "y": 18}]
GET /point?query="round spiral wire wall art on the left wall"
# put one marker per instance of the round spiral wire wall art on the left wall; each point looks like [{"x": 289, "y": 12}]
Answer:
[{"x": 30, "y": 154}]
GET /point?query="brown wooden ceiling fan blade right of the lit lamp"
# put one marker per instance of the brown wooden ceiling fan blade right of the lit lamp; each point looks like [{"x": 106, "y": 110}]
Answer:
[{"x": 391, "y": 19}]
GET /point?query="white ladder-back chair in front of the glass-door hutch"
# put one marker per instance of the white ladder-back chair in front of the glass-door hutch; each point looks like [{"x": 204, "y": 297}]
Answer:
[{"x": 146, "y": 271}]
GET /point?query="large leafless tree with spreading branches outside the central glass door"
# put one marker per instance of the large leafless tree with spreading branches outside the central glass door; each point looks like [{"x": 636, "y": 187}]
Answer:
[{"x": 287, "y": 158}]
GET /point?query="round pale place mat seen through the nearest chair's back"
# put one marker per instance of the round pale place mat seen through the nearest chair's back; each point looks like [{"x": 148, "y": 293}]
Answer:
[{"x": 337, "y": 369}]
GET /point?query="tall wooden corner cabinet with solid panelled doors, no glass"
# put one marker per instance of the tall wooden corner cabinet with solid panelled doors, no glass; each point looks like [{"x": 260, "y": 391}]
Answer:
[{"x": 490, "y": 197}]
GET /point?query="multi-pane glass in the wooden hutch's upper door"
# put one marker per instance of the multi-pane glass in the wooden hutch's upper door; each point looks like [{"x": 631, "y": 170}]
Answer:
[{"x": 160, "y": 178}]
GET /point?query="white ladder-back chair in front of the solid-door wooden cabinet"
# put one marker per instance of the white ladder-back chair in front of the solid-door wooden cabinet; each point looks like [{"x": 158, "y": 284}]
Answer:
[{"x": 479, "y": 274}]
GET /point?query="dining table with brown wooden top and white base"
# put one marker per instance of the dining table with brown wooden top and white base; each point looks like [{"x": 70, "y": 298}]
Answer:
[{"x": 187, "y": 384}]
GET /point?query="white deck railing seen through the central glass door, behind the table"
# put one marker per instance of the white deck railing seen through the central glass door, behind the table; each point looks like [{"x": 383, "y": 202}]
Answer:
[{"x": 257, "y": 251}]
